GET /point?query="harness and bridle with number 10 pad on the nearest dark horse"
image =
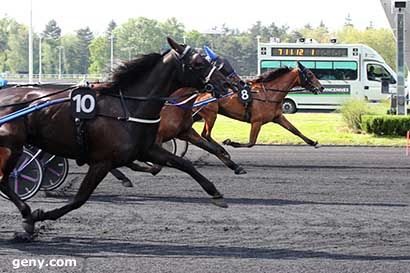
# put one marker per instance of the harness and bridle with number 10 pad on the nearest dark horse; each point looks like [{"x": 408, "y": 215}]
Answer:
[{"x": 84, "y": 106}]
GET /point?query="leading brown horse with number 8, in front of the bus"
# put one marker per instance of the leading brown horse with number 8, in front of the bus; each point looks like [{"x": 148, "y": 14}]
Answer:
[{"x": 268, "y": 92}]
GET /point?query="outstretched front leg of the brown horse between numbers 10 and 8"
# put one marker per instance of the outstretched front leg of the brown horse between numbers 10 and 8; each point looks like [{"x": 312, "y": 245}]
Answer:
[{"x": 193, "y": 137}]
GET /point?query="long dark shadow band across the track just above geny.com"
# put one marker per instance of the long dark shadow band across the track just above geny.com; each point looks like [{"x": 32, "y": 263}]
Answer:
[{"x": 90, "y": 247}]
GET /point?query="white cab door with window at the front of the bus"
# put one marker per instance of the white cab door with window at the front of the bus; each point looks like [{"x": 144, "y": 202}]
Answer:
[{"x": 374, "y": 74}]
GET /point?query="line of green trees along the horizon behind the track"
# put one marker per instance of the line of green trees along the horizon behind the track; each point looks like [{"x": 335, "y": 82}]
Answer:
[{"x": 83, "y": 52}]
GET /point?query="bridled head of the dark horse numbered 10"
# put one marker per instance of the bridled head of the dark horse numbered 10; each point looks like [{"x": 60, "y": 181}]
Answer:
[{"x": 196, "y": 71}]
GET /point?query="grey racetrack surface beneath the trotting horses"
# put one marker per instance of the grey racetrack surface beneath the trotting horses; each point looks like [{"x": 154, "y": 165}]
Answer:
[{"x": 299, "y": 209}]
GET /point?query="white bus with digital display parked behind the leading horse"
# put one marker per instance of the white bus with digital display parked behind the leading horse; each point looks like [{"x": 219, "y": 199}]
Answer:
[{"x": 345, "y": 70}]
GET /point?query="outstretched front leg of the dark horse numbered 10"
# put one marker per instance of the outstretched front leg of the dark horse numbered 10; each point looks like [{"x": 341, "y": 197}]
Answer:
[{"x": 157, "y": 154}]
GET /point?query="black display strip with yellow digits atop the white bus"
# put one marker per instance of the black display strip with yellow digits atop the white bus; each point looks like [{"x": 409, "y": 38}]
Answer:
[{"x": 309, "y": 52}]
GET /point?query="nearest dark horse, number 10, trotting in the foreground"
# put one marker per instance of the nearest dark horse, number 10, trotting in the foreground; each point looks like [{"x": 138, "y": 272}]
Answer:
[{"x": 138, "y": 92}]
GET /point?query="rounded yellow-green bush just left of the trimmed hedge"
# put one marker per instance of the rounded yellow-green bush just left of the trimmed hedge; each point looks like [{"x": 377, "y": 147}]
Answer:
[{"x": 352, "y": 112}]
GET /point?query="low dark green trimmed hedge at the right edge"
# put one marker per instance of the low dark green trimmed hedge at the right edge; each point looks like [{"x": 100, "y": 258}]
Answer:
[{"x": 386, "y": 125}]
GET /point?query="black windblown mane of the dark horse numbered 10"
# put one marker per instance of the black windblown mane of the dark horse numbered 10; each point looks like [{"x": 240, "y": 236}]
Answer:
[{"x": 129, "y": 72}]
